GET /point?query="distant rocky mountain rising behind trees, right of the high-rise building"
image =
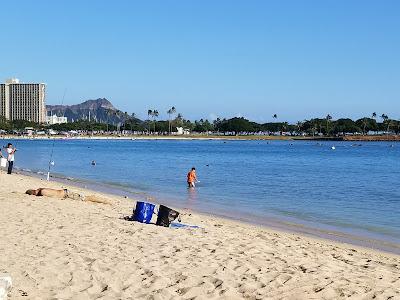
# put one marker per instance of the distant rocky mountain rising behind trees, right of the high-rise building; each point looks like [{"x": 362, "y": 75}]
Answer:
[{"x": 100, "y": 110}]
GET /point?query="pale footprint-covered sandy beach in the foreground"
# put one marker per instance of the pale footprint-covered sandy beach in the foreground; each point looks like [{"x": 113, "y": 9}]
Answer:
[{"x": 68, "y": 249}]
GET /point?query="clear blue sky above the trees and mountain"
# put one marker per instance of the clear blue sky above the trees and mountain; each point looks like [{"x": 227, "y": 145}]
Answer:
[{"x": 297, "y": 59}]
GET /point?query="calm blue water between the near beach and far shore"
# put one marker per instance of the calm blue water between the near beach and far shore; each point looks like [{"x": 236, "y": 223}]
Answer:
[{"x": 352, "y": 189}]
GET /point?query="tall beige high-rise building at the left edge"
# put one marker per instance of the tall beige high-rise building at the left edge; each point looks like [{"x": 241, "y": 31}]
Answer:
[{"x": 23, "y": 101}]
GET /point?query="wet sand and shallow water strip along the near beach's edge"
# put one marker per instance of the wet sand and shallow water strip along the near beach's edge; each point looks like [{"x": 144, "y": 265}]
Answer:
[{"x": 273, "y": 222}]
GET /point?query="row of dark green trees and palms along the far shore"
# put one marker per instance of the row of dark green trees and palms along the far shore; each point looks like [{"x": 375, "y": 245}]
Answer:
[{"x": 316, "y": 126}]
